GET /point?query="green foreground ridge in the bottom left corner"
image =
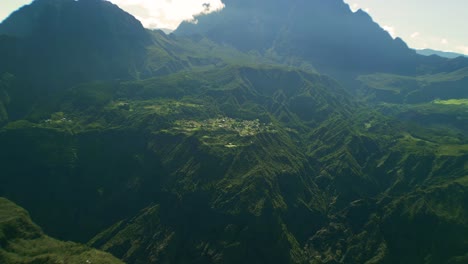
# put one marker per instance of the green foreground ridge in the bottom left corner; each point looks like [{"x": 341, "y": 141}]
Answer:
[{"x": 22, "y": 241}]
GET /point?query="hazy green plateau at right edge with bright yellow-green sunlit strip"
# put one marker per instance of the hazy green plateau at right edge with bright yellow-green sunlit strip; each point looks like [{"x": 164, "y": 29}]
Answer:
[{"x": 433, "y": 107}]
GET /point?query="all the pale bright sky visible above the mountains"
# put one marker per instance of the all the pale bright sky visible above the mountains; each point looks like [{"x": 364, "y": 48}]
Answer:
[{"x": 436, "y": 24}]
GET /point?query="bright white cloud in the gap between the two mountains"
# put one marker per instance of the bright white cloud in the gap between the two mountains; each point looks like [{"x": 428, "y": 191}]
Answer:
[{"x": 167, "y": 13}]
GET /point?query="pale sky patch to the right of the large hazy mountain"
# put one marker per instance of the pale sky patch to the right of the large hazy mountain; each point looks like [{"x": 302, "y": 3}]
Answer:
[{"x": 436, "y": 24}]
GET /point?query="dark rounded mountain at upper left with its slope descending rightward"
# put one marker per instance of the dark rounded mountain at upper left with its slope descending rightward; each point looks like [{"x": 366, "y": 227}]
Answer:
[{"x": 49, "y": 47}]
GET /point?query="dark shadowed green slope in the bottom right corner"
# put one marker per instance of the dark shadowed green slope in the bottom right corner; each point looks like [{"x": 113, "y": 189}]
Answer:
[{"x": 424, "y": 226}]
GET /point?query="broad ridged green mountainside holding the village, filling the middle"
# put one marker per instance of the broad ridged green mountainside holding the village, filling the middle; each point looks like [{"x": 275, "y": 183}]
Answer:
[{"x": 222, "y": 165}]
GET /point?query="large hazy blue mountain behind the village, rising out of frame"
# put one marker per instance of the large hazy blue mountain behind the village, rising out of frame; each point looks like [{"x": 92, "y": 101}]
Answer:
[{"x": 325, "y": 32}]
